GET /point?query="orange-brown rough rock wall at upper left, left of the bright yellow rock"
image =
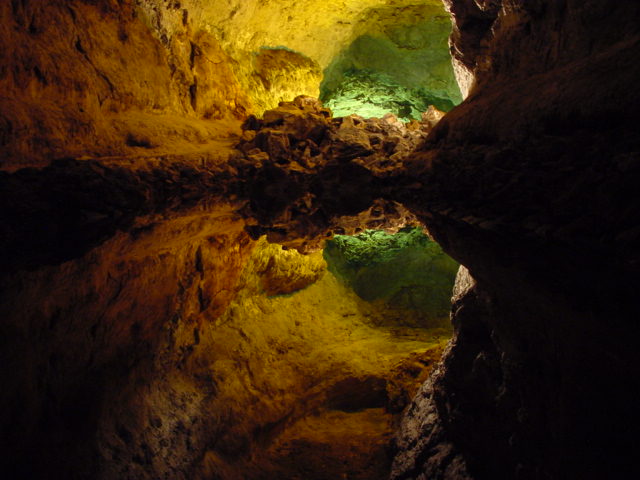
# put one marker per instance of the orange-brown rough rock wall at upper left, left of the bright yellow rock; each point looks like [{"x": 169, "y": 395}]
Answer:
[{"x": 90, "y": 79}]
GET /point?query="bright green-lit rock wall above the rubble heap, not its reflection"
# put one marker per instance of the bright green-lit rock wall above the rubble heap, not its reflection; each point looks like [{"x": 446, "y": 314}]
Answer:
[{"x": 402, "y": 69}]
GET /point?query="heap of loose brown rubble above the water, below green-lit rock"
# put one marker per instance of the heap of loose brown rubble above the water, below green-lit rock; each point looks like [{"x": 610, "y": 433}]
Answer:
[{"x": 304, "y": 137}]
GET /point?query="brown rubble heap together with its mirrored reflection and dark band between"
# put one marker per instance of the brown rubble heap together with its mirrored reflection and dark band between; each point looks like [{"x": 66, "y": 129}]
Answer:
[{"x": 312, "y": 175}]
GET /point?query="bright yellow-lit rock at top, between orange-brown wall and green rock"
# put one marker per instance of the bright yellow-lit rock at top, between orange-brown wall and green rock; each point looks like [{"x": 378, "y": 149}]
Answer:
[{"x": 316, "y": 30}]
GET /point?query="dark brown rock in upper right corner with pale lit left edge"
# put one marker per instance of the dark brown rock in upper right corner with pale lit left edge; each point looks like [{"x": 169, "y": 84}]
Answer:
[{"x": 497, "y": 40}]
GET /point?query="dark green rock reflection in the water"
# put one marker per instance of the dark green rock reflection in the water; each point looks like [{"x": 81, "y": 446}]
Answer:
[{"x": 405, "y": 271}]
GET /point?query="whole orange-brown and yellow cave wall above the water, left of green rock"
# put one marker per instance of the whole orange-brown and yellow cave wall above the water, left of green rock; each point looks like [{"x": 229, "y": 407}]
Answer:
[{"x": 130, "y": 78}]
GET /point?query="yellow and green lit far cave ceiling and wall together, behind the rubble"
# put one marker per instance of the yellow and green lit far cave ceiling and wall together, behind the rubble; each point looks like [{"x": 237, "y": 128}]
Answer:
[{"x": 284, "y": 48}]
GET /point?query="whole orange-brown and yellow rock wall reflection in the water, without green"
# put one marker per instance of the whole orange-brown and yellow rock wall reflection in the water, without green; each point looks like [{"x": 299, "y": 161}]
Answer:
[{"x": 161, "y": 353}]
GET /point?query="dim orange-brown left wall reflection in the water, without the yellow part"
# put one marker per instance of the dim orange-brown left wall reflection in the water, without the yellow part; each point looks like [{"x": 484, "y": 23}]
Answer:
[{"x": 94, "y": 350}]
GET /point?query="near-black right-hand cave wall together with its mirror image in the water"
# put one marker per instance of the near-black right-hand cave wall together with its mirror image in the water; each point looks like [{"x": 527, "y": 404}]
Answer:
[{"x": 529, "y": 183}]
